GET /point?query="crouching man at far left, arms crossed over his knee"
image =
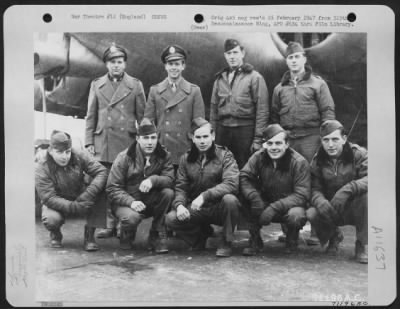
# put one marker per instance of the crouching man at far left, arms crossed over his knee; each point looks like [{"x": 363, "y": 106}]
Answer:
[{"x": 59, "y": 182}]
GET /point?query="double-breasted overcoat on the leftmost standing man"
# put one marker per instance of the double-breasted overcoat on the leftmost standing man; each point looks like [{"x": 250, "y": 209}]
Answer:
[{"x": 112, "y": 115}]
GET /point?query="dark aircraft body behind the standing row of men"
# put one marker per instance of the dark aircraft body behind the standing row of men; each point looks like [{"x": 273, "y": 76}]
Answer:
[{"x": 65, "y": 64}]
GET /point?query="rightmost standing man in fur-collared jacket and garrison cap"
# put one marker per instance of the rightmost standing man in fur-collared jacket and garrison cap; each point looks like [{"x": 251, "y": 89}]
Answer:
[{"x": 300, "y": 103}]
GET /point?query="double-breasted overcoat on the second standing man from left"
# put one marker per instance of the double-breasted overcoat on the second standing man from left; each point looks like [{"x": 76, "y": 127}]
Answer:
[{"x": 173, "y": 112}]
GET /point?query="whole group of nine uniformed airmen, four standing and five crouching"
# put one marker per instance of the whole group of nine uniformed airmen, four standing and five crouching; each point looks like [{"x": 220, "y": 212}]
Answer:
[{"x": 287, "y": 161}]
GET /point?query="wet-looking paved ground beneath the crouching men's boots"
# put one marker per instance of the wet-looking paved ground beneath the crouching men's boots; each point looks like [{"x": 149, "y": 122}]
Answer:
[{"x": 183, "y": 277}]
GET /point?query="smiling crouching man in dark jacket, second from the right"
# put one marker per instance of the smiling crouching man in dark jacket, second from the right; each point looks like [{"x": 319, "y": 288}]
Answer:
[{"x": 276, "y": 183}]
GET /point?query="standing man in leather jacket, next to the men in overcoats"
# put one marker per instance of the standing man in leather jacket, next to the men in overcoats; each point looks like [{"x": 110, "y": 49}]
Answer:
[{"x": 239, "y": 108}]
